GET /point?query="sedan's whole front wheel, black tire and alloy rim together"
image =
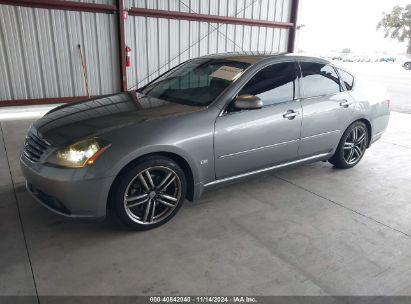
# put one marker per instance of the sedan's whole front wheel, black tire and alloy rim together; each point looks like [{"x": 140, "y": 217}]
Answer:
[{"x": 149, "y": 193}]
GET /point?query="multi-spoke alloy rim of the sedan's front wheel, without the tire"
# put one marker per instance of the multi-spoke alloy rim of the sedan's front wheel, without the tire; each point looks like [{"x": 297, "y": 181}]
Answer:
[{"x": 152, "y": 195}]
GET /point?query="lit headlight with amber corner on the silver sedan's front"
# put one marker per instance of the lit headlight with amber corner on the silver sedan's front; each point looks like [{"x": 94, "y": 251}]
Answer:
[{"x": 80, "y": 154}]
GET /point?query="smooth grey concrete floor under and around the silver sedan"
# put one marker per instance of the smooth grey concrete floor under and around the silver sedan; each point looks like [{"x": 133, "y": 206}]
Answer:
[{"x": 310, "y": 230}]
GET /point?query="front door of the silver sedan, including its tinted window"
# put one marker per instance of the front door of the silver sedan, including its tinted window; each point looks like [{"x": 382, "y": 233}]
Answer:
[{"x": 248, "y": 140}]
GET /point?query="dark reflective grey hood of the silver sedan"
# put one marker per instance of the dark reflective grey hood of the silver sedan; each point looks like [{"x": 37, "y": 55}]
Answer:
[{"x": 69, "y": 123}]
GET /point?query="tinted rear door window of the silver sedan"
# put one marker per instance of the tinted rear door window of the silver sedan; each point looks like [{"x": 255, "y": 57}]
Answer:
[{"x": 319, "y": 79}]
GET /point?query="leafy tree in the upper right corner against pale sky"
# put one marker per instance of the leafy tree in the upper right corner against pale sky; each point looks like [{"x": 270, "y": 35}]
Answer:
[{"x": 397, "y": 24}]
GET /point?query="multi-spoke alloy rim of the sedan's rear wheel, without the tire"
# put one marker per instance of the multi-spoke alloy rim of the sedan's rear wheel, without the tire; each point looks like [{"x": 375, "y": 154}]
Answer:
[{"x": 355, "y": 145}]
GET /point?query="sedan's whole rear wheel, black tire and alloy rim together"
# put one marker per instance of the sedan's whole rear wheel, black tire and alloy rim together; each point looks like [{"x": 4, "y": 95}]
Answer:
[{"x": 352, "y": 146}]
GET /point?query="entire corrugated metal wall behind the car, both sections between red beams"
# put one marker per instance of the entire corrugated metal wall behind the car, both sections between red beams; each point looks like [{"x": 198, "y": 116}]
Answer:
[{"x": 39, "y": 57}]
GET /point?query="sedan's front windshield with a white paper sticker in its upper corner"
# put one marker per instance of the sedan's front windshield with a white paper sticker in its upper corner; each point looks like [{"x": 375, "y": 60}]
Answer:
[{"x": 197, "y": 82}]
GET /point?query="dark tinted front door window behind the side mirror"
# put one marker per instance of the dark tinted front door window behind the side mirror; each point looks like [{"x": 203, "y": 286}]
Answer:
[{"x": 273, "y": 84}]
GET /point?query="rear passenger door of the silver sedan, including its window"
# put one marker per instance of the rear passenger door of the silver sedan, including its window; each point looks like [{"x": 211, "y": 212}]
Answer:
[{"x": 327, "y": 108}]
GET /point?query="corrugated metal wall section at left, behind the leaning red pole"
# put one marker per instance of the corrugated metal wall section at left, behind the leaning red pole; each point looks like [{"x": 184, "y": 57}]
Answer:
[{"x": 39, "y": 57}]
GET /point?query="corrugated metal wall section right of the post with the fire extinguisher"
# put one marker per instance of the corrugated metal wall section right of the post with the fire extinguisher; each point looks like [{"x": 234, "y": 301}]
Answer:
[{"x": 158, "y": 44}]
